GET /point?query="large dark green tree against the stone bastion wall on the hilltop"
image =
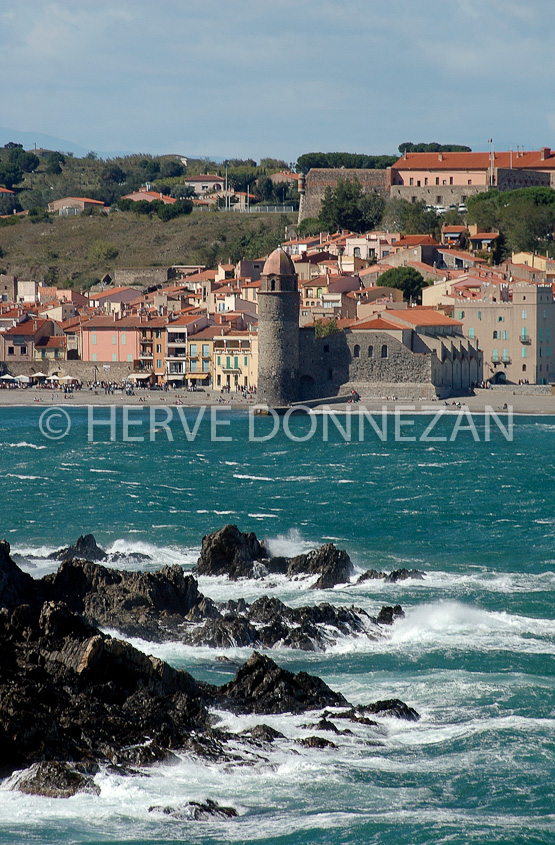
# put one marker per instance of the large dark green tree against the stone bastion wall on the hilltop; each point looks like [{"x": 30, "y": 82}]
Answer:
[{"x": 346, "y": 207}]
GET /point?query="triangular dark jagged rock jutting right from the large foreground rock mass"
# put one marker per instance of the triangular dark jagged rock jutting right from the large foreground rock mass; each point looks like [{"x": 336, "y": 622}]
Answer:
[{"x": 261, "y": 686}]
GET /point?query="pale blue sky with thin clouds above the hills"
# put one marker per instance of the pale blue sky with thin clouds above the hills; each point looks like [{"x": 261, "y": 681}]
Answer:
[{"x": 277, "y": 78}]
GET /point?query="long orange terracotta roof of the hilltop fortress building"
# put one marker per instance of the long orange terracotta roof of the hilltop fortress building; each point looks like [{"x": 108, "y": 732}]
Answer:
[{"x": 527, "y": 160}]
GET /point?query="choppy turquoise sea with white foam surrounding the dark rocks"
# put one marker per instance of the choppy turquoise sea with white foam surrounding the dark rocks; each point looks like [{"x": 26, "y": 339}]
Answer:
[{"x": 474, "y": 654}]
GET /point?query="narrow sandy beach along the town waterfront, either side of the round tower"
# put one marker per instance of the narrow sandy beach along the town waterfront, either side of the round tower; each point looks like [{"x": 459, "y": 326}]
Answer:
[{"x": 520, "y": 402}]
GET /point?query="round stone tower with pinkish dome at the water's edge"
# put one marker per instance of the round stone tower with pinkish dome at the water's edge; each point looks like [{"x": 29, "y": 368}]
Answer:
[{"x": 278, "y": 331}]
